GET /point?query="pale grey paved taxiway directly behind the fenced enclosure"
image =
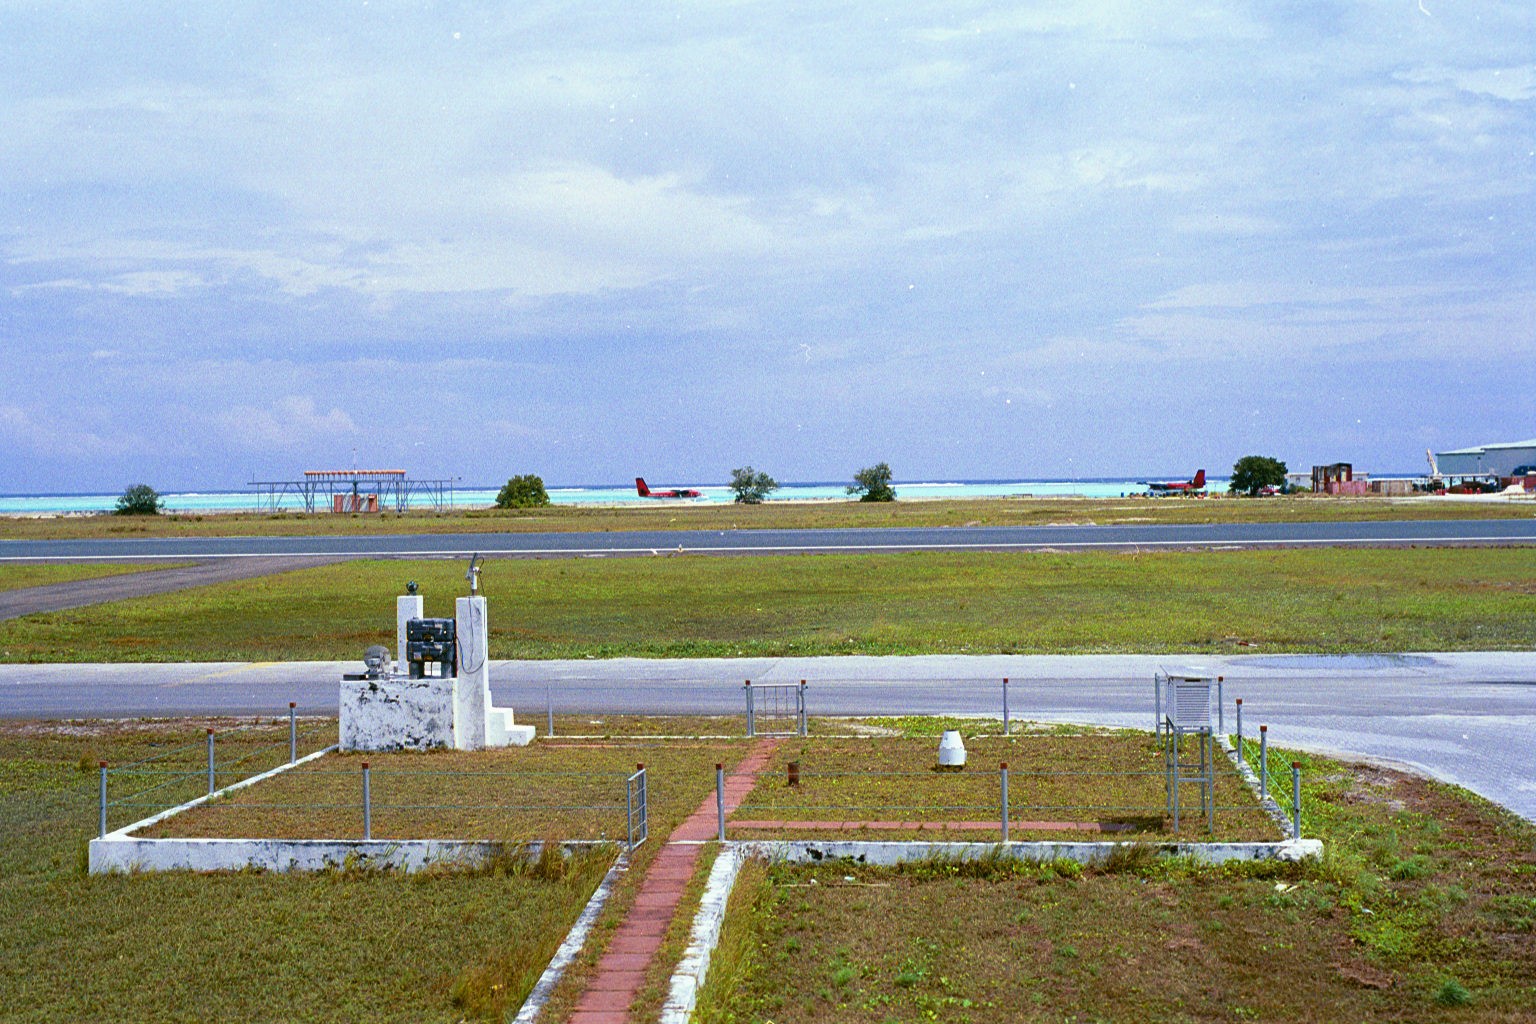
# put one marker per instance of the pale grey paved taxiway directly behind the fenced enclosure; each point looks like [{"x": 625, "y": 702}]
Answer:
[{"x": 1462, "y": 718}]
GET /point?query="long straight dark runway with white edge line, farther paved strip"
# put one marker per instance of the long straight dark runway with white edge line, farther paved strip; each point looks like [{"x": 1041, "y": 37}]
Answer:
[{"x": 1497, "y": 532}]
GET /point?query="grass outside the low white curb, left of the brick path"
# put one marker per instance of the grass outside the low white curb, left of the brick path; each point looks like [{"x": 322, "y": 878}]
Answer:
[{"x": 250, "y": 946}]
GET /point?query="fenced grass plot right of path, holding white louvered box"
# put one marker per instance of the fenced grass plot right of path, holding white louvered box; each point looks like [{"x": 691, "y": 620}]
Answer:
[{"x": 1110, "y": 781}]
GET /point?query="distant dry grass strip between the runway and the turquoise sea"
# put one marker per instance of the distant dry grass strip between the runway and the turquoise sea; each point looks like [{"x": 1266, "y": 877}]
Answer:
[{"x": 982, "y": 512}]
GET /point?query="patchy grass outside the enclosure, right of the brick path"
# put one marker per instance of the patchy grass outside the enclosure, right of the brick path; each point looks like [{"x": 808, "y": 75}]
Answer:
[{"x": 1343, "y": 940}]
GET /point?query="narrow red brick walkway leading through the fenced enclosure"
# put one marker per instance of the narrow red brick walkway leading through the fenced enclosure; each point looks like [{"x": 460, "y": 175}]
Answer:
[{"x": 621, "y": 973}]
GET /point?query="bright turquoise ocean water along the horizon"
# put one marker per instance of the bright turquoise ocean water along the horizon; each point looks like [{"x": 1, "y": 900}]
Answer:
[{"x": 615, "y": 495}]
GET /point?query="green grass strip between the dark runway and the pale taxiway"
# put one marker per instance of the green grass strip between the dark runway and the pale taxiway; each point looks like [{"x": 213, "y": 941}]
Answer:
[{"x": 1325, "y": 601}]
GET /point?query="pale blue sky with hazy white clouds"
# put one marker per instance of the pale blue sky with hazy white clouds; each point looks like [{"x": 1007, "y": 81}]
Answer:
[{"x": 601, "y": 240}]
